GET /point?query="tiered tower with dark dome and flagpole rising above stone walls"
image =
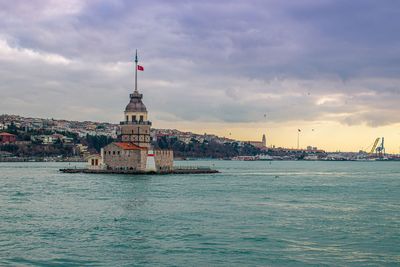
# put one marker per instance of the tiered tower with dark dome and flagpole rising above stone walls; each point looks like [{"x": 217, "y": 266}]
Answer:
[{"x": 136, "y": 128}]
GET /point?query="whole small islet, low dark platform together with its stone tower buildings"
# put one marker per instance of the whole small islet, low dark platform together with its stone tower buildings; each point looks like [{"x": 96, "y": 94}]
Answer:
[{"x": 133, "y": 153}]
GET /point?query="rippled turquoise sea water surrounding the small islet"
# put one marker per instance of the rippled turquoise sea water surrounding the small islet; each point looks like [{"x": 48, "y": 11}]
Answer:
[{"x": 252, "y": 214}]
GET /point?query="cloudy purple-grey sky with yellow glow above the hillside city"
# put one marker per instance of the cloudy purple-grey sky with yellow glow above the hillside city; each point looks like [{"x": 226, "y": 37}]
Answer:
[{"x": 234, "y": 68}]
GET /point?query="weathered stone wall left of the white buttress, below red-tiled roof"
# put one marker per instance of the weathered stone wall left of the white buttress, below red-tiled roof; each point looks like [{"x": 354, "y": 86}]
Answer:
[{"x": 117, "y": 158}]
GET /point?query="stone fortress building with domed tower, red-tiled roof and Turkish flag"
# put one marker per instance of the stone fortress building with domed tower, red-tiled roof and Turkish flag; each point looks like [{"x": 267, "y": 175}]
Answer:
[{"x": 134, "y": 151}]
